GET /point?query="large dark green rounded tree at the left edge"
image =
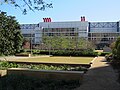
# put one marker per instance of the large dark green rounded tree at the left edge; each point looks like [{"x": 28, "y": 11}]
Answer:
[{"x": 10, "y": 35}]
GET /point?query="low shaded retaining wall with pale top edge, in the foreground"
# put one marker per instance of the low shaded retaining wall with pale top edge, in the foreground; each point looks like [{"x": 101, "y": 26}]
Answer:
[{"x": 48, "y": 74}]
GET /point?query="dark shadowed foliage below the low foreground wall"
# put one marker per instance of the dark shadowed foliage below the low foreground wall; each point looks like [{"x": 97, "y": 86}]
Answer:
[{"x": 21, "y": 82}]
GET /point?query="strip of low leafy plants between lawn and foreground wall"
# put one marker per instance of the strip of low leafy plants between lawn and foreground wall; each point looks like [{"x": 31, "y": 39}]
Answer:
[{"x": 6, "y": 65}]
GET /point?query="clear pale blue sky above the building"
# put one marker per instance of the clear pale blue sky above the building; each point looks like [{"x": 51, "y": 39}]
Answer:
[{"x": 70, "y": 10}]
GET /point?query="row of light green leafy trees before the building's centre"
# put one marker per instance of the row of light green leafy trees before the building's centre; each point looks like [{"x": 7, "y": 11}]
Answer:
[{"x": 66, "y": 43}]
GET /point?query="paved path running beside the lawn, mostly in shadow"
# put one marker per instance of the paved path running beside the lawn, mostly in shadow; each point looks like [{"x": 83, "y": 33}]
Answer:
[{"x": 101, "y": 76}]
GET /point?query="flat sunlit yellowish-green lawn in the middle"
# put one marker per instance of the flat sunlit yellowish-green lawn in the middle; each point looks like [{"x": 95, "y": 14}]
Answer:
[{"x": 65, "y": 60}]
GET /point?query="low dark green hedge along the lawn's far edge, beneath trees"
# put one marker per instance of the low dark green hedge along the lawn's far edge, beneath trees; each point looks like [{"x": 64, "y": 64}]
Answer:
[{"x": 81, "y": 52}]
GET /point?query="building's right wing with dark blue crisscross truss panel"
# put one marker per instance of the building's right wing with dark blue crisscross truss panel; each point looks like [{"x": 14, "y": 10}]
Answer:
[{"x": 103, "y": 33}]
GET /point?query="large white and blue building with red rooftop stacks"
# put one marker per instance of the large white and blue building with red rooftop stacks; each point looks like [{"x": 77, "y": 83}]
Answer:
[{"x": 100, "y": 33}]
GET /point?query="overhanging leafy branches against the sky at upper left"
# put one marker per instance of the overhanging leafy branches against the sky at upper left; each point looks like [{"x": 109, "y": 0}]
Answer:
[{"x": 25, "y": 5}]
